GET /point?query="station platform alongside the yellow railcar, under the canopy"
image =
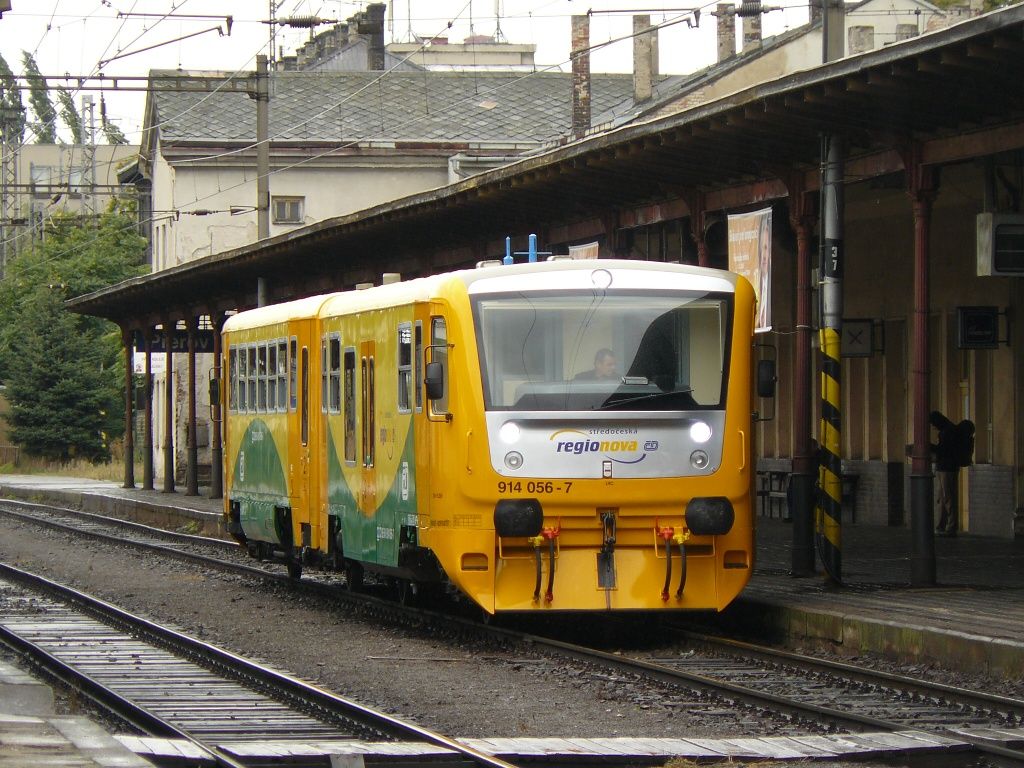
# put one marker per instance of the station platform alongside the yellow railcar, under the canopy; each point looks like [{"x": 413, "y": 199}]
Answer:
[{"x": 972, "y": 620}]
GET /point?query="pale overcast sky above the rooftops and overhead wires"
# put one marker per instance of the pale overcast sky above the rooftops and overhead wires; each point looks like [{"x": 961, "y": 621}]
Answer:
[{"x": 80, "y": 37}]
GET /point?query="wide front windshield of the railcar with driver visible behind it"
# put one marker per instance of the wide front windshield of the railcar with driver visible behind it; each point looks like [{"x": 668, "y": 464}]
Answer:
[{"x": 616, "y": 352}]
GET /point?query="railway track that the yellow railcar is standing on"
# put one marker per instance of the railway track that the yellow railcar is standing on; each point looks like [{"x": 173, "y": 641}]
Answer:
[{"x": 823, "y": 696}]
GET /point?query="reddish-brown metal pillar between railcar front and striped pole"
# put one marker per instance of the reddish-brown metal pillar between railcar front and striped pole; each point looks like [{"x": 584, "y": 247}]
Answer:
[{"x": 805, "y": 460}]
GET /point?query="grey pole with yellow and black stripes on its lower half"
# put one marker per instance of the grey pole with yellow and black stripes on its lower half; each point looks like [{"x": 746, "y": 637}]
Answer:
[{"x": 830, "y": 522}]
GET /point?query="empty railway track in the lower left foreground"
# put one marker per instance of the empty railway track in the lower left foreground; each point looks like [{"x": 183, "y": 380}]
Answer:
[{"x": 169, "y": 686}]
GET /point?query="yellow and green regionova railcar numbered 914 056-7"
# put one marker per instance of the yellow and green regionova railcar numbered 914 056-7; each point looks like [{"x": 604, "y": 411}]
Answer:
[{"x": 564, "y": 436}]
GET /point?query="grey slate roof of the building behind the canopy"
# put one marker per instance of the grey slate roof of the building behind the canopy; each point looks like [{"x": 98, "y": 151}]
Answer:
[{"x": 428, "y": 107}]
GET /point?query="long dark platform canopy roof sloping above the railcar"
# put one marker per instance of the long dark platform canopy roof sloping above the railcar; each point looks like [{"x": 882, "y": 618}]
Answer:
[{"x": 948, "y": 97}]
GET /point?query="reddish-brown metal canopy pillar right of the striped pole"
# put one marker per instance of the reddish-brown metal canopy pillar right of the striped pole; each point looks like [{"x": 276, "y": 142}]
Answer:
[{"x": 922, "y": 189}]
